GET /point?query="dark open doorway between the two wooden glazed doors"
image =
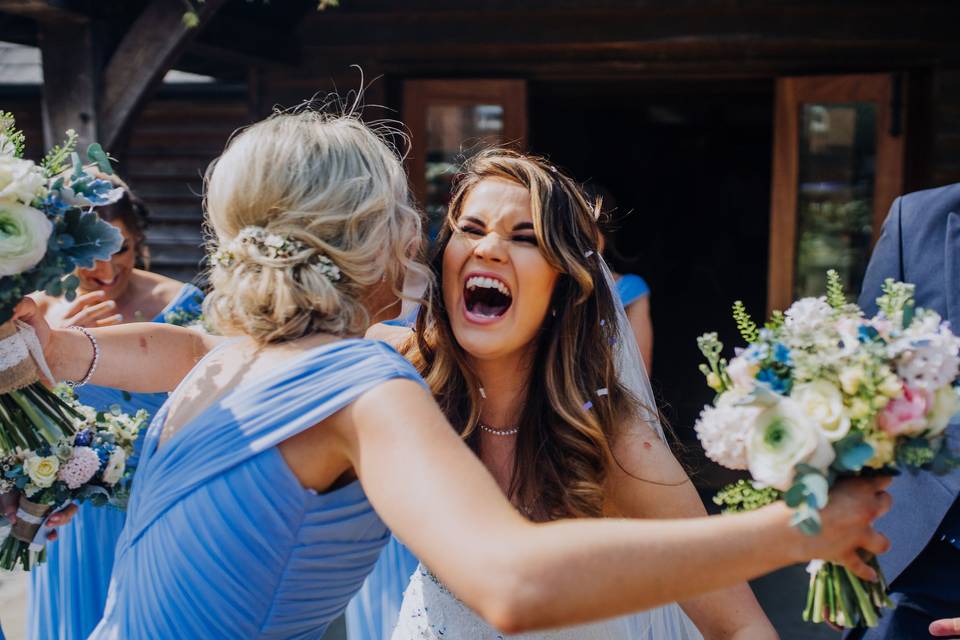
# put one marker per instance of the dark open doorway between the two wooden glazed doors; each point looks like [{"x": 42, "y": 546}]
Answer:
[{"x": 688, "y": 164}]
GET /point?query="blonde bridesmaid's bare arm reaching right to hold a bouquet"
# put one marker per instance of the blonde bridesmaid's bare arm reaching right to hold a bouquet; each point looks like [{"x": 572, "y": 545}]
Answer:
[{"x": 437, "y": 497}]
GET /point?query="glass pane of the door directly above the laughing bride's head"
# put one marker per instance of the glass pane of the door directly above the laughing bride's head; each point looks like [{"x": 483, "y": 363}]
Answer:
[{"x": 454, "y": 132}]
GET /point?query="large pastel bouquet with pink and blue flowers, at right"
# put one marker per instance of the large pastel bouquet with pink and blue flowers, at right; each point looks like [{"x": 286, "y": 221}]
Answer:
[{"x": 822, "y": 392}]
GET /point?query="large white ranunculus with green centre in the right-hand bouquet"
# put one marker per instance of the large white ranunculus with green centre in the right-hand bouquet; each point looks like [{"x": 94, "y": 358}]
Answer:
[{"x": 783, "y": 437}]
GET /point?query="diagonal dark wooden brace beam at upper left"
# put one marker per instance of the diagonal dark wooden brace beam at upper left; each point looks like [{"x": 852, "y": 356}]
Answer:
[{"x": 146, "y": 52}]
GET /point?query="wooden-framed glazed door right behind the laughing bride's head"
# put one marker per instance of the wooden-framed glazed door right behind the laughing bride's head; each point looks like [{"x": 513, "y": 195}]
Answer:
[{"x": 449, "y": 120}]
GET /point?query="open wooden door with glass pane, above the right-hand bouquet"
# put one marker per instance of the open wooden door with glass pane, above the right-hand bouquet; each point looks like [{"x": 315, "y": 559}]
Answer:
[{"x": 837, "y": 167}]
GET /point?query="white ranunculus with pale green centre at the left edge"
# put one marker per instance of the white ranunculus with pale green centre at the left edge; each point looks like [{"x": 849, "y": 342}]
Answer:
[{"x": 24, "y": 232}]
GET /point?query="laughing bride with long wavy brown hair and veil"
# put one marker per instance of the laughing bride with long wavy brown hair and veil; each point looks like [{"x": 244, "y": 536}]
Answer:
[{"x": 518, "y": 347}]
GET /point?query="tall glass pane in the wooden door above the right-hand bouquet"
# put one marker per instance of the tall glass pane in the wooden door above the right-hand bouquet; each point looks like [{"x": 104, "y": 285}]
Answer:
[{"x": 838, "y": 145}]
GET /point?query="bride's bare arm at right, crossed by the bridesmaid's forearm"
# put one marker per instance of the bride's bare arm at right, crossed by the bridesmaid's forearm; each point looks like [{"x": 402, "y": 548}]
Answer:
[{"x": 646, "y": 481}]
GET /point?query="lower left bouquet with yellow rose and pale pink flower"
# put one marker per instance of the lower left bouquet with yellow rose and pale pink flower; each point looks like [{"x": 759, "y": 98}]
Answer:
[{"x": 93, "y": 465}]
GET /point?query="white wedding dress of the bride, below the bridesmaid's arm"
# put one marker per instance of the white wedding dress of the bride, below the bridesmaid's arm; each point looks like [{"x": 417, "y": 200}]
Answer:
[{"x": 430, "y": 611}]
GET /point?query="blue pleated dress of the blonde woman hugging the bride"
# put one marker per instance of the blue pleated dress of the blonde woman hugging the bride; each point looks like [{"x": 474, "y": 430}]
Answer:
[{"x": 222, "y": 541}]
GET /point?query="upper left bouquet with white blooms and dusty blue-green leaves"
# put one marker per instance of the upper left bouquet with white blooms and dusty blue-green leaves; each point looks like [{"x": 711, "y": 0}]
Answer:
[{"x": 47, "y": 229}]
